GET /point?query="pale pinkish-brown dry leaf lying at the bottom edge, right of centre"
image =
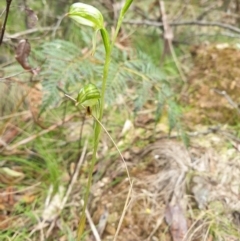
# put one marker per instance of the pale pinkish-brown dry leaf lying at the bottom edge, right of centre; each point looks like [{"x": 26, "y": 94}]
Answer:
[{"x": 176, "y": 220}]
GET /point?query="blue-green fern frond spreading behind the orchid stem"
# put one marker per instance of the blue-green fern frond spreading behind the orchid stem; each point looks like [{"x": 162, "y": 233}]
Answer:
[{"x": 68, "y": 68}]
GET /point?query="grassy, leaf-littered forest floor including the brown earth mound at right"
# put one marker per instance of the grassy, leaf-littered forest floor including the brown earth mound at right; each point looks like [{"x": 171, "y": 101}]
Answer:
[{"x": 179, "y": 192}]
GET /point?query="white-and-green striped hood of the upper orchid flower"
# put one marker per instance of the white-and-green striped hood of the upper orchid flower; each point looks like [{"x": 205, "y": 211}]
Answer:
[{"x": 86, "y": 15}]
